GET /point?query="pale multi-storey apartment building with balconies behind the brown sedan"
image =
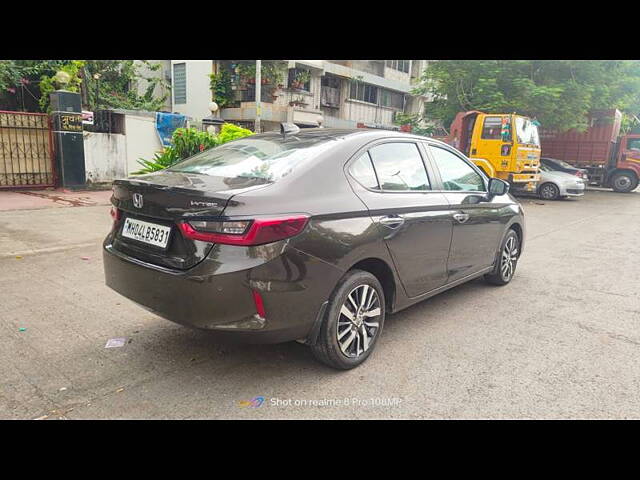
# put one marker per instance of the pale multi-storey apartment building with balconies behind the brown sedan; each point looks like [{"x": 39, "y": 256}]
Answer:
[{"x": 309, "y": 93}]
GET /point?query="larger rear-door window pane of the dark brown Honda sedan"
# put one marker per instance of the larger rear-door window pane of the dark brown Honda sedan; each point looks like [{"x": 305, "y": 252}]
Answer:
[{"x": 399, "y": 167}]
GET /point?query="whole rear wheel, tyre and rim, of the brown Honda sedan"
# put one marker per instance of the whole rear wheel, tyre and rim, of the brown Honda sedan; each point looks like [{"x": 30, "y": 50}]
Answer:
[{"x": 341, "y": 342}]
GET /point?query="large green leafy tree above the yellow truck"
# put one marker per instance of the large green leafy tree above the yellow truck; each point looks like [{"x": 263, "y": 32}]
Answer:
[{"x": 558, "y": 93}]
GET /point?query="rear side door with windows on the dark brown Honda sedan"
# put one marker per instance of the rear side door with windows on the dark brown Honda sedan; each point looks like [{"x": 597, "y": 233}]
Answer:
[{"x": 415, "y": 222}]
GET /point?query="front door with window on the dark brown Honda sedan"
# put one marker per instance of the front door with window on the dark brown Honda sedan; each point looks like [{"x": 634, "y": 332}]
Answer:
[{"x": 478, "y": 219}]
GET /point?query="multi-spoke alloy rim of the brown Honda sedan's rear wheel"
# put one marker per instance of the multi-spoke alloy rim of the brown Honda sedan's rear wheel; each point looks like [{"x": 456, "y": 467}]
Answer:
[{"x": 357, "y": 325}]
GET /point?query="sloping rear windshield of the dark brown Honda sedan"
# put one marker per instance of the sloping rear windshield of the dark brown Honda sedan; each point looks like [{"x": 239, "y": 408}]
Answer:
[{"x": 262, "y": 159}]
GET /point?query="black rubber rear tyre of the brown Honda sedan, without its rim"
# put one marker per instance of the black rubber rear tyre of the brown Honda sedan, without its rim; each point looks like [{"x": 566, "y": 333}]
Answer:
[{"x": 328, "y": 338}]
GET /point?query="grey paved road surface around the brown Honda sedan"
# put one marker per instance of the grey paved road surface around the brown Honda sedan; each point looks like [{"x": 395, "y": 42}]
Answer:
[{"x": 562, "y": 341}]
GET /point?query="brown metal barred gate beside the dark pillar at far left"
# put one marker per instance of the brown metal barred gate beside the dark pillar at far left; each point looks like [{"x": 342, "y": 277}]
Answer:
[{"x": 26, "y": 150}]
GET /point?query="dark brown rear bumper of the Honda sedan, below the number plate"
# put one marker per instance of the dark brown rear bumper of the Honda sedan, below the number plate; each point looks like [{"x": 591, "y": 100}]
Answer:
[{"x": 215, "y": 295}]
